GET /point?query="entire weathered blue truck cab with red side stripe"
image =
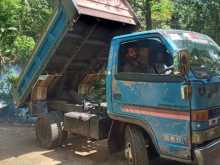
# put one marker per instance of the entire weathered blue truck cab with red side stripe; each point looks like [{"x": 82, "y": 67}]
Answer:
[{"x": 167, "y": 83}]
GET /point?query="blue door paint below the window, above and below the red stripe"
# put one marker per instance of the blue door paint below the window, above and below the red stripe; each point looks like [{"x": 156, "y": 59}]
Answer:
[{"x": 158, "y": 95}]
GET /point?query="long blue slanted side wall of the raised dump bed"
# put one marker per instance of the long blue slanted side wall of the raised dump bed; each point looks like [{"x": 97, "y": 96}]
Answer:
[{"x": 43, "y": 53}]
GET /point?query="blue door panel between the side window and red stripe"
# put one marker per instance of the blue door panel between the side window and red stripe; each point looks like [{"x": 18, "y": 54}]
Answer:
[{"x": 152, "y": 94}]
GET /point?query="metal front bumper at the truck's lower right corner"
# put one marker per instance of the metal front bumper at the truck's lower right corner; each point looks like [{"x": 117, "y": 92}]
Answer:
[{"x": 209, "y": 154}]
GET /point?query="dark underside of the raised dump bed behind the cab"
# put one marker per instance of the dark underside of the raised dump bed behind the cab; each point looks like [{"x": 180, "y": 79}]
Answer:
[{"x": 83, "y": 51}]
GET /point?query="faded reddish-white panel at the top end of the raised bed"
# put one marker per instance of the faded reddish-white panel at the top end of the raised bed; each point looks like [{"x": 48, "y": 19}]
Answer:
[{"x": 116, "y": 10}]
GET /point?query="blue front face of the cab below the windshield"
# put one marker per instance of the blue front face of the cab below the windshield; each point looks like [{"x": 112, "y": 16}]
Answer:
[{"x": 206, "y": 96}]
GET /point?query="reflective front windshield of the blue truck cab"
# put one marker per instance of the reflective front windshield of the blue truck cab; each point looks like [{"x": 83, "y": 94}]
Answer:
[{"x": 205, "y": 53}]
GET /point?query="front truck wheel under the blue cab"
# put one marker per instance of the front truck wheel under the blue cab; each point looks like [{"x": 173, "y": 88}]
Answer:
[{"x": 135, "y": 147}]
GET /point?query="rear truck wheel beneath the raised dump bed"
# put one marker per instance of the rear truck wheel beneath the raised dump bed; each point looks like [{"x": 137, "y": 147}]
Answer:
[{"x": 49, "y": 130}]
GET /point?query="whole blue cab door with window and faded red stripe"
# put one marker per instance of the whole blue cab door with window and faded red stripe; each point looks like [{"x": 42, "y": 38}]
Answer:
[{"x": 153, "y": 97}]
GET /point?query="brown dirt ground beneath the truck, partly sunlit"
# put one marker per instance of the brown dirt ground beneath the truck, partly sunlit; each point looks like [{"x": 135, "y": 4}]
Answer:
[{"x": 18, "y": 147}]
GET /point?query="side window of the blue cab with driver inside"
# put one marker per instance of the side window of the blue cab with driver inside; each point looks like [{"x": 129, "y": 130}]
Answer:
[{"x": 148, "y": 56}]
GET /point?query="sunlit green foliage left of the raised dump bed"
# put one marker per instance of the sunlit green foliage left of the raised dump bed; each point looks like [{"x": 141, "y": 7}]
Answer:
[{"x": 21, "y": 23}]
